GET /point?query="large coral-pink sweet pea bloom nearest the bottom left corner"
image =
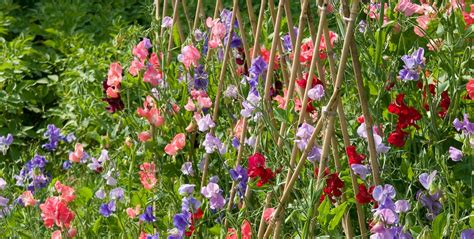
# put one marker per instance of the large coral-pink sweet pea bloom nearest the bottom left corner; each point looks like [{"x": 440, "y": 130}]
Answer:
[{"x": 55, "y": 211}]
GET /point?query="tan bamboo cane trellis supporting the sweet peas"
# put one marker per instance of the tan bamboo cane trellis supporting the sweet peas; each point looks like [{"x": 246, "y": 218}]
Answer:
[{"x": 291, "y": 70}]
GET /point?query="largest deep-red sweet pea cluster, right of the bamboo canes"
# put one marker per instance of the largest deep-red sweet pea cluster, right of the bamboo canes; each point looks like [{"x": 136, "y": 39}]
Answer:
[{"x": 406, "y": 118}]
